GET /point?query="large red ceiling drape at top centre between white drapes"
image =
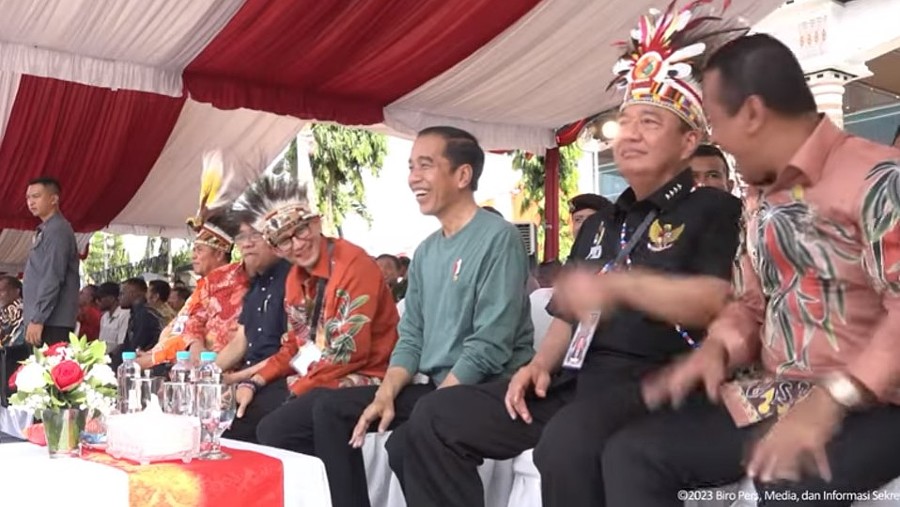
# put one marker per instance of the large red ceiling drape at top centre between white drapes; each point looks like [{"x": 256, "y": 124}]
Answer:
[{"x": 337, "y": 60}]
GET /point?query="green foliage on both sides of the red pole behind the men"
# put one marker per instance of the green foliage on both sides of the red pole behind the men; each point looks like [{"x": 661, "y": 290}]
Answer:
[{"x": 533, "y": 190}]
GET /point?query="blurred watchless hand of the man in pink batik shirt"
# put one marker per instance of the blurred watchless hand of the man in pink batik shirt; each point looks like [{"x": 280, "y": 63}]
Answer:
[{"x": 708, "y": 366}]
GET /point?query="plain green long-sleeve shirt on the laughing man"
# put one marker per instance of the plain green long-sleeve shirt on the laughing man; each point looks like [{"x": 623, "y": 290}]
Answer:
[{"x": 467, "y": 307}]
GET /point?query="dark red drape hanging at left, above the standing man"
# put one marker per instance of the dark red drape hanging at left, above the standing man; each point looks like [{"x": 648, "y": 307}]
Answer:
[{"x": 100, "y": 144}]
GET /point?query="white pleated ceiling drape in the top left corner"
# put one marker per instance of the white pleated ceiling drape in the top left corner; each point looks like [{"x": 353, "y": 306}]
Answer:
[{"x": 136, "y": 45}]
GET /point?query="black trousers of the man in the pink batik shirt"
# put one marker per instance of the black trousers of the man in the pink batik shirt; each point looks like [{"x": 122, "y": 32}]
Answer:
[{"x": 647, "y": 463}]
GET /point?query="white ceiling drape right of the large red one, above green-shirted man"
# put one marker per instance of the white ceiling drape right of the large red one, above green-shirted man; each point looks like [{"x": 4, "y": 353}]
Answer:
[{"x": 549, "y": 68}]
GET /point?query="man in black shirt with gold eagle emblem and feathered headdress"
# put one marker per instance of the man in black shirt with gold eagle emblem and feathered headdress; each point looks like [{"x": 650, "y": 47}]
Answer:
[{"x": 577, "y": 394}]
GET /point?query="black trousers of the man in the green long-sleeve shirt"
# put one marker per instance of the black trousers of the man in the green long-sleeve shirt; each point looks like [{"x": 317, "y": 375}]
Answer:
[{"x": 321, "y": 422}]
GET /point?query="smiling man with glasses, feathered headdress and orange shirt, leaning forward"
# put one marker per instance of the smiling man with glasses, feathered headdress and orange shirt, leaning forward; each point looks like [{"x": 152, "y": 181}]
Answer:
[{"x": 341, "y": 317}]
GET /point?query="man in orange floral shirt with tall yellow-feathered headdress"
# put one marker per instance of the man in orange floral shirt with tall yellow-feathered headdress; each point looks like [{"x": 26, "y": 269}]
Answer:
[{"x": 208, "y": 319}]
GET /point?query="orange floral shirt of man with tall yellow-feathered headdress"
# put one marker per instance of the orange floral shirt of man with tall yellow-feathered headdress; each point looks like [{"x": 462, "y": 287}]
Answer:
[{"x": 209, "y": 316}]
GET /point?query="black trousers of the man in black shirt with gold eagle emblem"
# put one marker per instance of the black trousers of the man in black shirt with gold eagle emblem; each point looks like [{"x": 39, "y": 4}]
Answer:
[{"x": 452, "y": 431}]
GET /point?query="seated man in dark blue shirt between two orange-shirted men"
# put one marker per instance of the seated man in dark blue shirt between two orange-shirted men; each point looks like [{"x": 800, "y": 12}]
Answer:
[{"x": 263, "y": 322}]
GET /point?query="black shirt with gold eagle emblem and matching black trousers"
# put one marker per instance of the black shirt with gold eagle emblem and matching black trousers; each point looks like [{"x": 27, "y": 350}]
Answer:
[{"x": 689, "y": 232}]
